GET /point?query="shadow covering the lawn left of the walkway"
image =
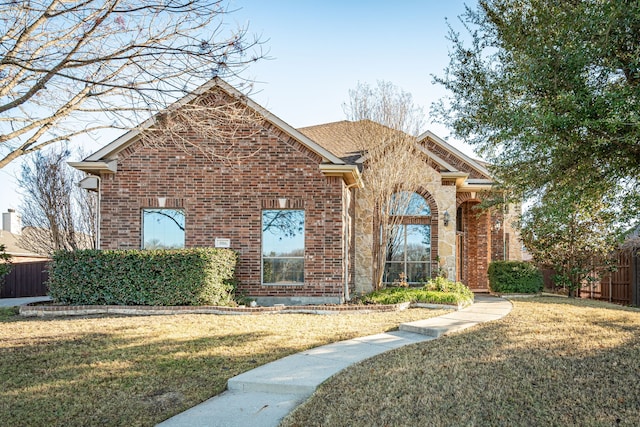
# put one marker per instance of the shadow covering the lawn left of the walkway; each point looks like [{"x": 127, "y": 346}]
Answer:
[{"x": 105, "y": 379}]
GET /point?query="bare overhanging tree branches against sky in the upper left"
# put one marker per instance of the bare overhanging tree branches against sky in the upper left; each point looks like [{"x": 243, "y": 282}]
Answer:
[{"x": 72, "y": 67}]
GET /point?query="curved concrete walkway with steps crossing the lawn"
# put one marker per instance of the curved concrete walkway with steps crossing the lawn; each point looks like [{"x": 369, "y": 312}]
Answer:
[{"x": 263, "y": 396}]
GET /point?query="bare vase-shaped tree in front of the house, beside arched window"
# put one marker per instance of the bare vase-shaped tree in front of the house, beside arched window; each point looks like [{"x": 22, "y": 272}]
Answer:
[{"x": 387, "y": 125}]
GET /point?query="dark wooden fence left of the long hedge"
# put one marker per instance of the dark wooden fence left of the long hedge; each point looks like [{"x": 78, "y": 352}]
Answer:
[{"x": 26, "y": 279}]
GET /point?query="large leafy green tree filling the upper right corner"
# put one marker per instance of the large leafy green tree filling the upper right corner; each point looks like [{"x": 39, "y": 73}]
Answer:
[{"x": 549, "y": 93}]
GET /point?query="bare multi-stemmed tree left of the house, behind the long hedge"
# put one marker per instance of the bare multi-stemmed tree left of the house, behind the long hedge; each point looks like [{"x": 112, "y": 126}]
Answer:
[{"x": 56, "y": 213}]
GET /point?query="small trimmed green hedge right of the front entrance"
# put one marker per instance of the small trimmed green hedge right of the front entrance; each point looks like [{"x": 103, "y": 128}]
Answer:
[{"x": 514, "y": 277}]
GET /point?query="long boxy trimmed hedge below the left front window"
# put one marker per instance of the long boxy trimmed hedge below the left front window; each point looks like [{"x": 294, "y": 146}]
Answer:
[{"x": 199, "y": 276}]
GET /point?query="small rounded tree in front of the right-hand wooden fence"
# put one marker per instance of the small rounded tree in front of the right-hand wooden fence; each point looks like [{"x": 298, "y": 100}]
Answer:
[{"x": 573, "y": 236}]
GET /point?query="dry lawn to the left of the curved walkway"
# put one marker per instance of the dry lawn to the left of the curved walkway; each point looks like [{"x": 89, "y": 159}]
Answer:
[{"x": 141, "y": 370}]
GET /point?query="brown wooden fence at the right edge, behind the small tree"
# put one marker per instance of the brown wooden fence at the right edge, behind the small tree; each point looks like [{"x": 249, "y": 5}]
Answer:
[{"x": 620, "y": 287}]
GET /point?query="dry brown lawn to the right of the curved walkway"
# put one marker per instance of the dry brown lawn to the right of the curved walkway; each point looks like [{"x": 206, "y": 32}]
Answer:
[{"x": 552, "y": 361}]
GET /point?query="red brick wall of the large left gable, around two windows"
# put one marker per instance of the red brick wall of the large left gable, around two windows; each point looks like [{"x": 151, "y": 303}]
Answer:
[{"x": 224, "y": 200}]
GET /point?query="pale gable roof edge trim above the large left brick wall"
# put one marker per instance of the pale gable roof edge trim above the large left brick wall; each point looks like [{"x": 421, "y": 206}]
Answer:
[{"x": 105, "y": 159}]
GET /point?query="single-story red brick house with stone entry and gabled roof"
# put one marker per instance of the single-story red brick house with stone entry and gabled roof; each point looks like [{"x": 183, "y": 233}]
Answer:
[{"x": 289, "y": 206}]
